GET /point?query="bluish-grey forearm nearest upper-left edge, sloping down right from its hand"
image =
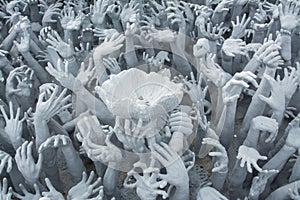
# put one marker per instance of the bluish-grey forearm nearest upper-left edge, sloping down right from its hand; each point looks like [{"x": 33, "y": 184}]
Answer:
[{"x": 39, "y": 70}]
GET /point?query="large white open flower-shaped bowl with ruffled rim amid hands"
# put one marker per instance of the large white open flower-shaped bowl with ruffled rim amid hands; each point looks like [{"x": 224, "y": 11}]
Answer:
[{"x": 134, "y": 94}]
